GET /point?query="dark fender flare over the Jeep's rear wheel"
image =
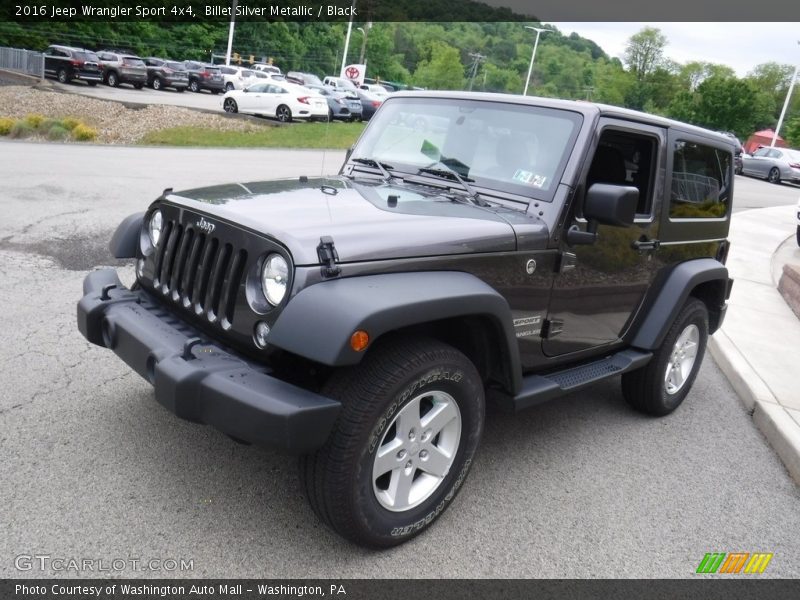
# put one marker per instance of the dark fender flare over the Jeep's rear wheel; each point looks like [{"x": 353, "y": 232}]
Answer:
[{"x": 672, "y": 294}]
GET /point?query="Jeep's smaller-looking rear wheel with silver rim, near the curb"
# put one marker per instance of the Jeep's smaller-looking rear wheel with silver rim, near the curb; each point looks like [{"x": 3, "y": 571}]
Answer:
[{"x": 647, "y": 389}]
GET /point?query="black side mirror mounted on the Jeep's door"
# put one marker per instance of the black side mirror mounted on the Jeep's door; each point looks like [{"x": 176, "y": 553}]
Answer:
[{"x": 605, "y": 204}]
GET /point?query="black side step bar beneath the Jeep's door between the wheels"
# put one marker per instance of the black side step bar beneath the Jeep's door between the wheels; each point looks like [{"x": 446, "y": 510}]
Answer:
[{"x": 537, "y": 389}]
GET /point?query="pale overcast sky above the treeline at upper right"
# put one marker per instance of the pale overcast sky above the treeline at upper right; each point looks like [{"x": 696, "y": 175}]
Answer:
[{"x": 740, "y": 46}]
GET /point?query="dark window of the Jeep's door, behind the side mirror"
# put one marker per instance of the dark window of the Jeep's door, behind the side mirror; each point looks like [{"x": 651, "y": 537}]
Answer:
[{"x": 625, "y": 158}]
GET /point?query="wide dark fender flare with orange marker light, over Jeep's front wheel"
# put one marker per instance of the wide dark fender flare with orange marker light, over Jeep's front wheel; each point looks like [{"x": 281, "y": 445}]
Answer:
[{"x": 318, "y": 322}]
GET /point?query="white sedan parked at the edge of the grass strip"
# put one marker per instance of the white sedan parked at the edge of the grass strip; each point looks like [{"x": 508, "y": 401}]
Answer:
[{"x": 284, "y": 101}]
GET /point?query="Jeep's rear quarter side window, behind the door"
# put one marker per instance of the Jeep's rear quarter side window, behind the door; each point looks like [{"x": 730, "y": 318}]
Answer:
[{"x": 700, "y": 181}]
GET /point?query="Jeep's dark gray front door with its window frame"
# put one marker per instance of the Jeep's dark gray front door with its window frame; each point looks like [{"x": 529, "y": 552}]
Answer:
[{"x": 600, "y": 285}]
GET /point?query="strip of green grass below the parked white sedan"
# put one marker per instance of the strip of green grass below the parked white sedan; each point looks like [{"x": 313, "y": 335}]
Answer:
[{"x": 297, "y": 135}]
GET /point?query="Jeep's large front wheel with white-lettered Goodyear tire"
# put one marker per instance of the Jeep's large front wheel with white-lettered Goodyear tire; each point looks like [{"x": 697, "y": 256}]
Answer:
[{"x": 398, "y": 376}]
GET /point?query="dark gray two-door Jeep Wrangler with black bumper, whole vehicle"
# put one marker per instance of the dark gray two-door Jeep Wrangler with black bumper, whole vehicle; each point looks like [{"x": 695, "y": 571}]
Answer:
[{"x": 473, "y": 248}]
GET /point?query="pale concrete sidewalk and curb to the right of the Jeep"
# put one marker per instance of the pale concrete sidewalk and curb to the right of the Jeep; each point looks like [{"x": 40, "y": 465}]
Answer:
[{"x": 757, "y": 346}]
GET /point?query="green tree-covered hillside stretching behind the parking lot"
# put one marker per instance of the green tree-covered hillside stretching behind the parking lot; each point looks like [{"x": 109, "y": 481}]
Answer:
[{"x": 492, "y": 56}]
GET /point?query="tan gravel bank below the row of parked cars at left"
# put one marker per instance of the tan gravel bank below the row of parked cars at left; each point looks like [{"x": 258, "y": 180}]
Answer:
[{"x": 115, "y": 122}]
